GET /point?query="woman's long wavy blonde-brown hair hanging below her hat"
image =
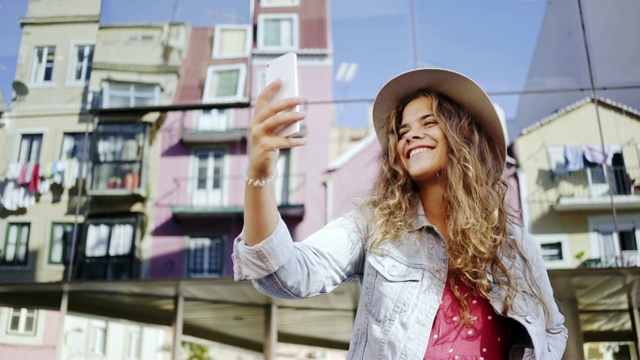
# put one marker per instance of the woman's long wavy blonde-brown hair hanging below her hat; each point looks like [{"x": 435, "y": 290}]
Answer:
[{"x": 474, "y": 201}]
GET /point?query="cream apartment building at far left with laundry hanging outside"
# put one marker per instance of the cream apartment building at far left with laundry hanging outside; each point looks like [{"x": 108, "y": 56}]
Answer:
[{"x": 58, "y": 201}]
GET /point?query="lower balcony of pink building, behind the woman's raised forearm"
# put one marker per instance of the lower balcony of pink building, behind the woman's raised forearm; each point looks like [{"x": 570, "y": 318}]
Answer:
[{"x": 223, "y": 198}]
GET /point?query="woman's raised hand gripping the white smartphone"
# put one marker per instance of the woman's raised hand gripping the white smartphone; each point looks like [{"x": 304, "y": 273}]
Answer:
[{"x": 264, "y": 142}]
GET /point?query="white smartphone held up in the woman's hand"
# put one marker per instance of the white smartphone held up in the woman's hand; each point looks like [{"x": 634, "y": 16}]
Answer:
[{"x": 285, "y": 68}]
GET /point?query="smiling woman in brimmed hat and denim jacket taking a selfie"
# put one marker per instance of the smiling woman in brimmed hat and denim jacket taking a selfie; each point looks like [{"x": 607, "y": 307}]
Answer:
[{"x": 445, "y": 274}]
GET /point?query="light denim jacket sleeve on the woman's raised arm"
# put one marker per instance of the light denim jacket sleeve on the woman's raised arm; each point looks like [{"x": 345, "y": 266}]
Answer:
[{"x": 282, "y": 268}]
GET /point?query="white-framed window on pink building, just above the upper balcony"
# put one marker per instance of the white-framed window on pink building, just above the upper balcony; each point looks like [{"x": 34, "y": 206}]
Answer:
[{"x": 224, "y": 83}]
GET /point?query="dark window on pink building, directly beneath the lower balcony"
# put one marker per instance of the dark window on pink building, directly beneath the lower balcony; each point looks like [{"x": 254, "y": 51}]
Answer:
[{"x": 205, "y": 257}]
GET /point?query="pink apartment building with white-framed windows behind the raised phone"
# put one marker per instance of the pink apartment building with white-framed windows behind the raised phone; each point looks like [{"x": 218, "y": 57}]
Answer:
[{"x": 200, "y": 182}]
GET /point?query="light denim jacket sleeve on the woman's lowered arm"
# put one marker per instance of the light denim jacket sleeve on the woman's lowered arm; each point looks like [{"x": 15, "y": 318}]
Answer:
[{"x": 556, "y": 331}]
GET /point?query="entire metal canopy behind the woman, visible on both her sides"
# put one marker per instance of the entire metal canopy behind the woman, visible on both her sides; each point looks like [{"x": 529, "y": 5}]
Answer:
[{"x": 236, "y": 314}]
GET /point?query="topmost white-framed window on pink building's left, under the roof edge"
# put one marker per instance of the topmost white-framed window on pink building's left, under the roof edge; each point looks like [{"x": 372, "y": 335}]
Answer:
[{"x": 231, "y": 41}]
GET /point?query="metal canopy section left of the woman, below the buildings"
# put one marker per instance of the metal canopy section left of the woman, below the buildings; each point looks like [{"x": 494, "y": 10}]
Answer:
[{"x": 219, "y": 310}]
